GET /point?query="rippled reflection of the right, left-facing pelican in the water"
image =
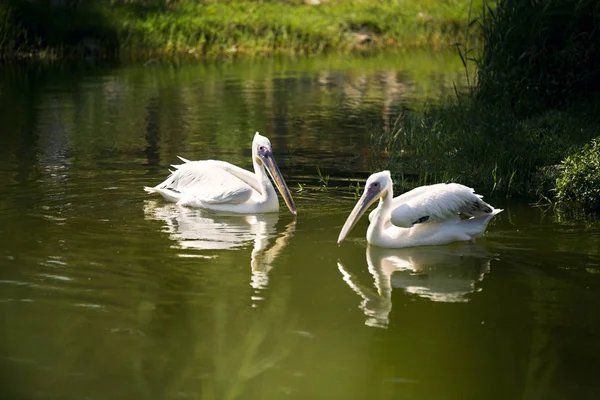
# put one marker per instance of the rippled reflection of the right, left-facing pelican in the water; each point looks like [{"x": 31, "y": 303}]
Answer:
[{"x": 441, "y": 274}]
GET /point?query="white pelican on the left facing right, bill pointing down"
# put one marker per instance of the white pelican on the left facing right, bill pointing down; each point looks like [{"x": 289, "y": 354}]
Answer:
[{"x": 221, "y": 186}]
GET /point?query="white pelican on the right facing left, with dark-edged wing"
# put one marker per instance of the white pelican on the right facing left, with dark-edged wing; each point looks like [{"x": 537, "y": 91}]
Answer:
[{"x": 425, "y": 216}]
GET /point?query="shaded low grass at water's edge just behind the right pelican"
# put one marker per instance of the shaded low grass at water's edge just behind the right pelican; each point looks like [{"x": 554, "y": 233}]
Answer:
[{"x": 483, "y": 145}]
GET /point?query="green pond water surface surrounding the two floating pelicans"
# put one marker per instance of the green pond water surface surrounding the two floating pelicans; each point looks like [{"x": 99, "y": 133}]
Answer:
[{"x": 108, "y": 293}]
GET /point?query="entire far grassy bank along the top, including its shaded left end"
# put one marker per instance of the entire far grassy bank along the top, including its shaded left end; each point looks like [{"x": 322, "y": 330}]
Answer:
[{"x": 200, "y": 29}]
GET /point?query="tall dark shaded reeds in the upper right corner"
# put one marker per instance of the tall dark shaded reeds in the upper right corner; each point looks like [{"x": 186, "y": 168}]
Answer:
[{"x": 539, "y": 55}]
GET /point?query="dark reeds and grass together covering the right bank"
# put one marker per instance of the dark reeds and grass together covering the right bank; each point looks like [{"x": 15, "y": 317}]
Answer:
[{"x": 528, "y": 109}]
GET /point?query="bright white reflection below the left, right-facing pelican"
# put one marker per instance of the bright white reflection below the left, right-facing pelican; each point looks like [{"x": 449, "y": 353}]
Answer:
[{"x": 202, "y": 231}]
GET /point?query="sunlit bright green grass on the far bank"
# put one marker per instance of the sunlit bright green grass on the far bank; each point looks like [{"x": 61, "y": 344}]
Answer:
[{"x": 247, "y": 27}]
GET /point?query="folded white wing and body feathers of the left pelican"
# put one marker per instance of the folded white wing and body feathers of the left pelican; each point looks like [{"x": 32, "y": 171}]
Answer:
[{"x": 209, "y": 181}]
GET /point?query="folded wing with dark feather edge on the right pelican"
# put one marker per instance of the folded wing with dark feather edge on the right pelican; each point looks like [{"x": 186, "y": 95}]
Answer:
[{"x": 436, "y": 203}]
